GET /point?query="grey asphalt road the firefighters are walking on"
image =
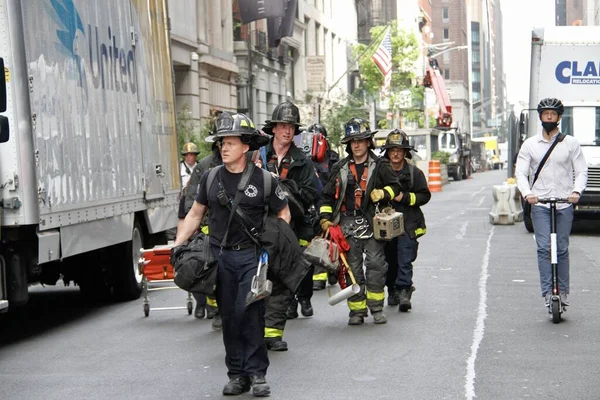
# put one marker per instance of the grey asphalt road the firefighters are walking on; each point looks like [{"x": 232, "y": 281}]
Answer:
[{"x": 477, "y": 329}]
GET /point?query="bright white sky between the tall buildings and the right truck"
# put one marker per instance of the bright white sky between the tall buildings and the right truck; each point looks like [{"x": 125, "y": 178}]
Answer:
[{"x": 519, "y": 17}]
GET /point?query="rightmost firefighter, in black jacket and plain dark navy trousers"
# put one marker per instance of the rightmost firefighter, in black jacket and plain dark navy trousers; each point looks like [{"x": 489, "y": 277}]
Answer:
[{"x": 401, "y": 252}]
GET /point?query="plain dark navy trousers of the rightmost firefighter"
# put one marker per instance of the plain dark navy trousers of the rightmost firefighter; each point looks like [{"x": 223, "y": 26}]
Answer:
[{"x": 400, "y": 253}]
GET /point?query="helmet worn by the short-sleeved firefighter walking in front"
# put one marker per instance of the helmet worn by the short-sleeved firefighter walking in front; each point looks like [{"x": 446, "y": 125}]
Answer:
[{"x": 240, "y": 125}]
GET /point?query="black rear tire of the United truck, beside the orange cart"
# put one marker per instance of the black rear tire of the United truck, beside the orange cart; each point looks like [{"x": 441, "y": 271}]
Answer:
[{"x": 128, "y": 284}]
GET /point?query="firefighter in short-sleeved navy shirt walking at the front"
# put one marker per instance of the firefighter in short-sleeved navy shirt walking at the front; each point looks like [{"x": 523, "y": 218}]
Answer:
[{"x": 246, "y": 355}]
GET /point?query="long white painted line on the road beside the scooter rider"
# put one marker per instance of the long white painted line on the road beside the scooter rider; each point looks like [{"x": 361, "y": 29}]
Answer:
[{"x": 480, "y": 324}]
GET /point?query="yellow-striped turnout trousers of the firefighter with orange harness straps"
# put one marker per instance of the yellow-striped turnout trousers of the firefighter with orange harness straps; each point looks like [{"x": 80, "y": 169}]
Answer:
[{"x": 371, "y": 278}]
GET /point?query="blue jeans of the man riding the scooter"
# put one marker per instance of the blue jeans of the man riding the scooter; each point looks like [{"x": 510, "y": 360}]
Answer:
[{"x": 540, "y": 216}]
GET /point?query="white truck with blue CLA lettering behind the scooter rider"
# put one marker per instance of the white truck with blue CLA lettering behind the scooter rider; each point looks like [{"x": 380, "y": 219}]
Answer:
[{"x": 565, "y": 64}]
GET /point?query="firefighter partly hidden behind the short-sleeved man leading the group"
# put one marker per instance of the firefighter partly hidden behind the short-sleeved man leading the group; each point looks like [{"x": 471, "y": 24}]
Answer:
[{"x": 297, "y": 177}]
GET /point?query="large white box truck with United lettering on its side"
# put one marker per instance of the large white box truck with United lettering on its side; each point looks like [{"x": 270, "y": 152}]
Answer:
[{"x": 89, "y": 160}]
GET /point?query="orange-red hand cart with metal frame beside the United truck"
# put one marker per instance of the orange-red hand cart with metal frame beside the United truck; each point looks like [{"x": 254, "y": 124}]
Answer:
[{"x": 156, "y": 270}]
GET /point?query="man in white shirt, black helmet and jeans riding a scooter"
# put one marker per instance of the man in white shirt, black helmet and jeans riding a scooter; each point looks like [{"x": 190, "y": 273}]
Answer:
[{"x": 555, "y": 180}]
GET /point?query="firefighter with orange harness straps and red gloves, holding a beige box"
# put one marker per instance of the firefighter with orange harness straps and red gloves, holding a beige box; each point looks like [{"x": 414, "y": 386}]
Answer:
[{"x": 356, "y": 184}]
